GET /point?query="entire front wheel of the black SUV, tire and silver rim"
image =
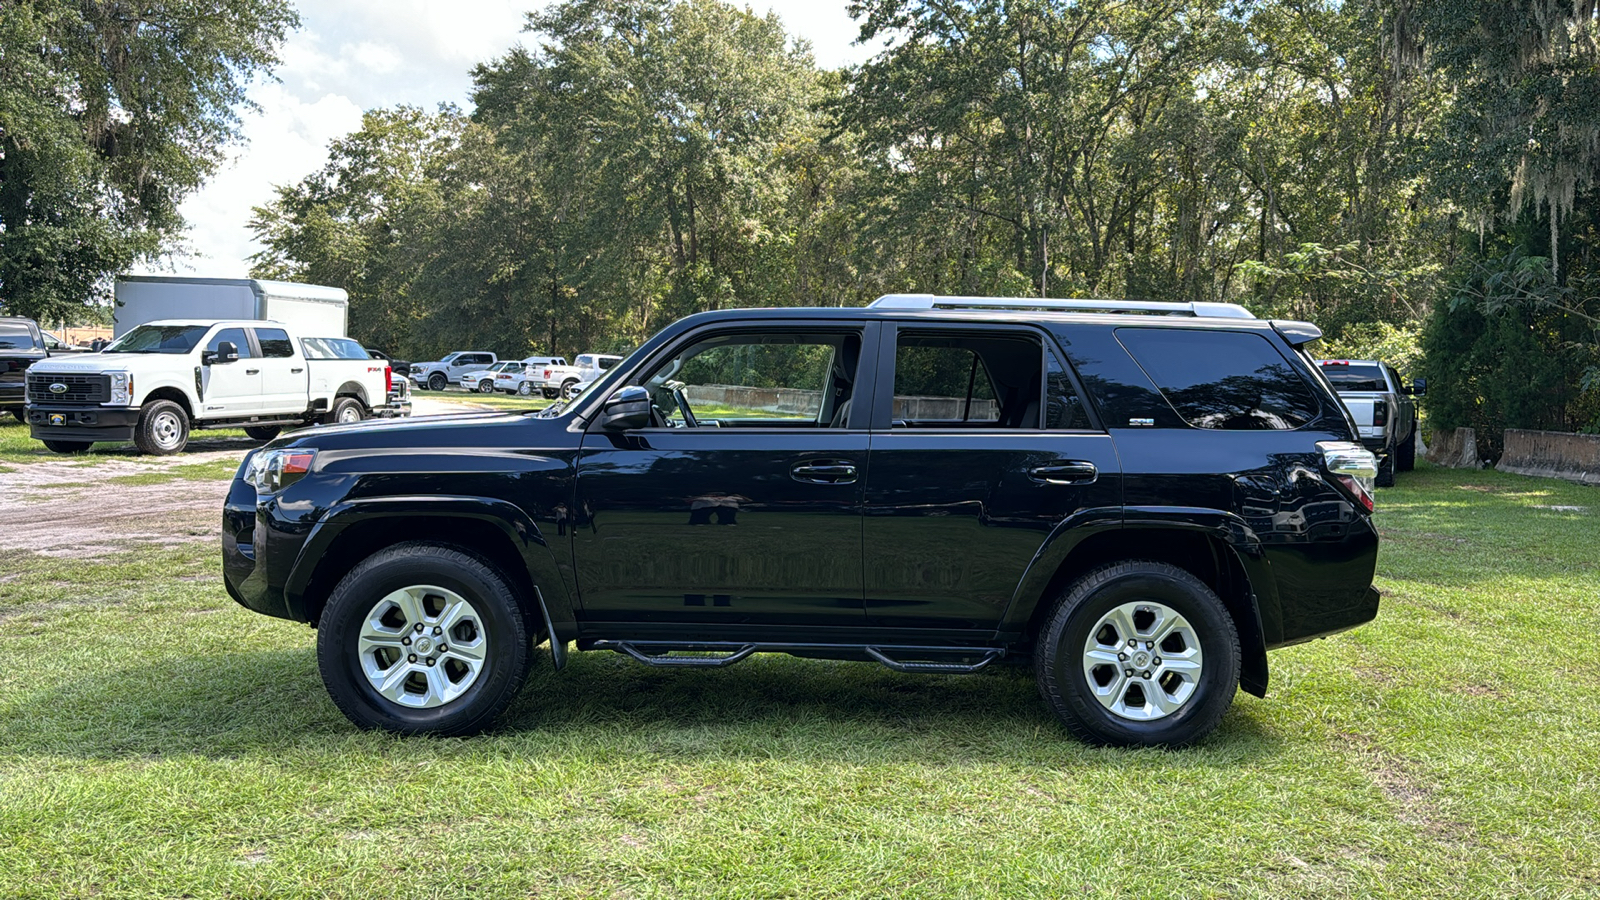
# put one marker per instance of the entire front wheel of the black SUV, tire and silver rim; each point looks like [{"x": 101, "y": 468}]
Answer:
[{"x": 423, "y": 638}]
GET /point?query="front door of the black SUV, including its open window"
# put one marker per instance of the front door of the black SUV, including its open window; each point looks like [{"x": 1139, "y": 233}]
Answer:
[{"x": 742, "y": 505}]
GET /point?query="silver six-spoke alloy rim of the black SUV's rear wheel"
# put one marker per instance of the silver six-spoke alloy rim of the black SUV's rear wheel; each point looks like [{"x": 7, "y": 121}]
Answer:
[{"x": 1143, "y": 661}]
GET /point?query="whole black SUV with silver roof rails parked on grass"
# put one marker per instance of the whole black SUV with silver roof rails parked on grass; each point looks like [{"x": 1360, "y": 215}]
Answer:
[{"x": 1137, "y": 499}]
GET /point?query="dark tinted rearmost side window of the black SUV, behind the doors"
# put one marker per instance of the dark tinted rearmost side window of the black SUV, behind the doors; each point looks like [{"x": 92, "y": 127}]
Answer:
[{"x": 1223, "y": 380}]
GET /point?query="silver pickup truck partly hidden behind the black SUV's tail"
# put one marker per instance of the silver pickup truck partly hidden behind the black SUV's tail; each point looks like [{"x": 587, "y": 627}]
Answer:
[{"x": 1383, "y": 411}]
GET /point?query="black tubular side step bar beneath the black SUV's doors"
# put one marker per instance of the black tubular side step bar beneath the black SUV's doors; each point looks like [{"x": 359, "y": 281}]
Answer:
[{"x": 719, "y": 654}]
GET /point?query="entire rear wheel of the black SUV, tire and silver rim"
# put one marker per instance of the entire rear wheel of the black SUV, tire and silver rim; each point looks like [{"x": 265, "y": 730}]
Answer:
[{"x": 1138, "y": 654}]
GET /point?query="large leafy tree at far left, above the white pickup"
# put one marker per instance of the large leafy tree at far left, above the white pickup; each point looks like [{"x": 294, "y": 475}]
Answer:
[{"x": 111, "y": 113}]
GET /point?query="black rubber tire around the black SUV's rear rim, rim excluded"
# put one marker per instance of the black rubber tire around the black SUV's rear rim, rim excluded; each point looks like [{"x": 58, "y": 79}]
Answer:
[{"x": 1063, "y": 643}]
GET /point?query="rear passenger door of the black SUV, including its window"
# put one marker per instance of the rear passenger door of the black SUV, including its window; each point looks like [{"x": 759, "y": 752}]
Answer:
[{"x": 982, "y": 448}]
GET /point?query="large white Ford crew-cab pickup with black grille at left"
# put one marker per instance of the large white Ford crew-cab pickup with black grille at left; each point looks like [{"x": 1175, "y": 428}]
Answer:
[{"x": 164, "y": 379}]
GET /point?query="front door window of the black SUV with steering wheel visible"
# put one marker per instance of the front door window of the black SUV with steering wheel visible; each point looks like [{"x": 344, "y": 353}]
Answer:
[{"x": 759, "y": 380}]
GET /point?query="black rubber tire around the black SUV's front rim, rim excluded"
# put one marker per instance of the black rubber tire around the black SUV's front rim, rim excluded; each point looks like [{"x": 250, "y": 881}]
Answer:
[{"x": 506, "y": 656}]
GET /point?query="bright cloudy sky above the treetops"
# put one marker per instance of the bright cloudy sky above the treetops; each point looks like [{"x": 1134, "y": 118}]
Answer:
[{"x": 356, "y": 55}]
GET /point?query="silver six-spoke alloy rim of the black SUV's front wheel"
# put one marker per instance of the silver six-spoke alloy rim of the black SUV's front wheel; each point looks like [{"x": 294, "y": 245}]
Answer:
[{"x": 423, "y": 646}]
